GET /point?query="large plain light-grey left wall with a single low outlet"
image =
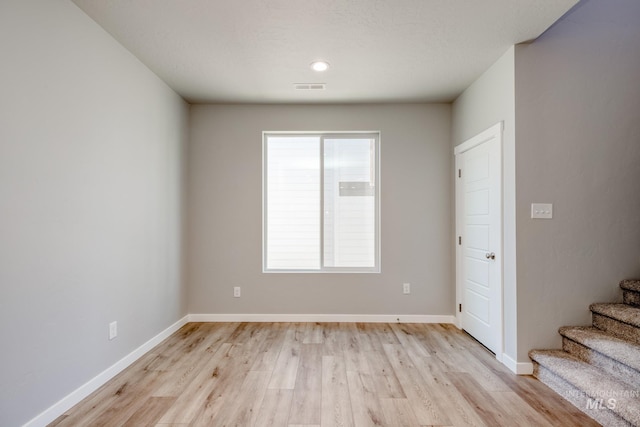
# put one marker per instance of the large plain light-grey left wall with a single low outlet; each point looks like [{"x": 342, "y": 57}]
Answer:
[{"x": 90, "y": 199}]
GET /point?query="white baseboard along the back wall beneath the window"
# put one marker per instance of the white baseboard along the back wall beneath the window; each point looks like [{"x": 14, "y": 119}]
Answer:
[{"x": 347, "y": 318}]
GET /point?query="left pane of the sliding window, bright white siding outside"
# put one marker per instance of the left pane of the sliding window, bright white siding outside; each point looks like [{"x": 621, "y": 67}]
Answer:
[{"x": 293, "y": 202}]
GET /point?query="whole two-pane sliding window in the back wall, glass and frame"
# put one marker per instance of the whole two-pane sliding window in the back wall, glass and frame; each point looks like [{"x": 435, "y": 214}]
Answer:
[{"x": 321, "y": 204}]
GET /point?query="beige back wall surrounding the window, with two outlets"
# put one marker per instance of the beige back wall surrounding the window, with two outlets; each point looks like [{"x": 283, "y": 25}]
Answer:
[{"x": 225, "y": 213}]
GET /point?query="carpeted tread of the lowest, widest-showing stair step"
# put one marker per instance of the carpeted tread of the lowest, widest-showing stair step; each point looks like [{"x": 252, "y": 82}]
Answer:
[{"x": 592, "y": 381}]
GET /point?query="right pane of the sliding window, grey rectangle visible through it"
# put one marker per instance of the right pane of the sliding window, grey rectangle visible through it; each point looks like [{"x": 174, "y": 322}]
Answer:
[{"x": 349, "y": 202}]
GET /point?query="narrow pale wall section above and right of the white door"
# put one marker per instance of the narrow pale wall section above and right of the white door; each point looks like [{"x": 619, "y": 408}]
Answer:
[{"x": 489, "y": 100}]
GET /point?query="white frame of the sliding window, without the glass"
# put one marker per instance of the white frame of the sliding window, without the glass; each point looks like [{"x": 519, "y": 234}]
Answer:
[{"x": 376, "y": 136}]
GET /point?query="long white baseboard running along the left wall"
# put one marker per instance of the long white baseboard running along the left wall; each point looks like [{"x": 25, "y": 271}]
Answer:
[{"x": 92, "y": 385}]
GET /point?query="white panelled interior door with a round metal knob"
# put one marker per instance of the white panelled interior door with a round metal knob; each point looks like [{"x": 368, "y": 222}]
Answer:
[{"x": 479, "y": 228}]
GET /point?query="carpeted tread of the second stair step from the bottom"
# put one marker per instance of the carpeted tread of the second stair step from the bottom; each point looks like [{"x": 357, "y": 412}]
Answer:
[{"x": 615, "y": 348}]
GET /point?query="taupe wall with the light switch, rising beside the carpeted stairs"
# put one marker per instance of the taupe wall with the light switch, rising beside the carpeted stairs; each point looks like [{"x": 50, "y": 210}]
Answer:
[{"x": 578, "y": 147}]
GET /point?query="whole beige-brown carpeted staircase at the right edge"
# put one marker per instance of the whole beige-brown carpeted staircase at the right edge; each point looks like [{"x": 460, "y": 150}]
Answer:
[{"x": 598, "y": 368}]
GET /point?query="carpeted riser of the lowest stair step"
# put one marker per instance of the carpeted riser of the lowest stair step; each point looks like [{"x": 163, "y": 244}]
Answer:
[{"x": 601, "y": 414}]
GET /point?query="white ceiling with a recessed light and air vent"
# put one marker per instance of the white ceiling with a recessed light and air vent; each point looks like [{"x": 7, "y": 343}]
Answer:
[{"x": 254, "y": 51}]
